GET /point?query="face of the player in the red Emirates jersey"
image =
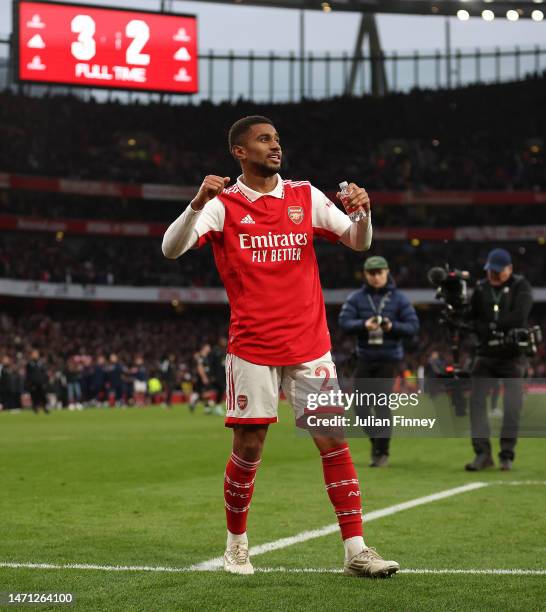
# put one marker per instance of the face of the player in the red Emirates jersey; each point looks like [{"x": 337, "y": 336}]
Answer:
[{"x": 260, "y": 150}]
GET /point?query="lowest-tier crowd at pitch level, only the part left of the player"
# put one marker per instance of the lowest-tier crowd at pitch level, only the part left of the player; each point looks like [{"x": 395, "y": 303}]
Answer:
[{"x": 87, "y": 360}]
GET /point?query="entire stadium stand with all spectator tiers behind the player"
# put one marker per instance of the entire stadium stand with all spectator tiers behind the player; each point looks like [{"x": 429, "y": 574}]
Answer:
[{"x": 87, "y": 205}]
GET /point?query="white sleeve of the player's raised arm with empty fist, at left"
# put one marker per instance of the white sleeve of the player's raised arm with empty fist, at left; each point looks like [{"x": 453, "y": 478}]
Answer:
[{"x": 187, "y": 230}]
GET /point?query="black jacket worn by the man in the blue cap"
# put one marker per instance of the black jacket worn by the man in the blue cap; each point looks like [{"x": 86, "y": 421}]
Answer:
[{"x": 514, "y": 299}]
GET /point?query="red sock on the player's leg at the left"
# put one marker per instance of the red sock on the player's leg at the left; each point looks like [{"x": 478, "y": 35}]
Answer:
[{"x": 238, "y": 489}]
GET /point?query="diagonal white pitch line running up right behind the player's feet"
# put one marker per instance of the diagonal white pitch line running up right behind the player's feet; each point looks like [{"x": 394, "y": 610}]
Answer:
[{"x": 217, "y": 562}]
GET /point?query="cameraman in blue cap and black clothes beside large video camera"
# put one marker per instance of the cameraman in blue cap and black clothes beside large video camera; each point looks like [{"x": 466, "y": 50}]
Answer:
[{"x": 499, "y": 310}]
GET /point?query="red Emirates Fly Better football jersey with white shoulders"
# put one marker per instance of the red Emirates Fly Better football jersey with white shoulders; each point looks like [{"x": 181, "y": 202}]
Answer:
[{"x": 263, "y": 247}]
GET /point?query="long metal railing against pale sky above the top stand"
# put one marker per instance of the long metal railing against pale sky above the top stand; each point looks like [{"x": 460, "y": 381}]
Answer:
[{"x": 274, "y": 77}]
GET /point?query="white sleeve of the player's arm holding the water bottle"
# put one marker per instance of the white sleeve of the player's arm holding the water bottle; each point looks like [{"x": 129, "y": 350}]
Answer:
[{"x": 335, "y": 223}]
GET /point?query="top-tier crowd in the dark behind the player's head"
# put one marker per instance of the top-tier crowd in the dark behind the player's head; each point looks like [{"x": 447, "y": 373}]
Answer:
[{"x": 477, "y": 137}]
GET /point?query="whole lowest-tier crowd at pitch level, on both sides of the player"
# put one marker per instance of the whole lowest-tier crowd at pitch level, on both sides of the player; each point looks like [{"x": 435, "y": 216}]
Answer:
[{"x": 127, "y": 357}]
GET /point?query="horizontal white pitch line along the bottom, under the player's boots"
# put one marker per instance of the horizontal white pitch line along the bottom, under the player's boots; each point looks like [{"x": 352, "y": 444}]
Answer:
[{"x": 261, "y": 570}]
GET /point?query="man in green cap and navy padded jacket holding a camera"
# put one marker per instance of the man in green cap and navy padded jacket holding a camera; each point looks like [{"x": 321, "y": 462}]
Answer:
[{"x": 381, "y": 316}]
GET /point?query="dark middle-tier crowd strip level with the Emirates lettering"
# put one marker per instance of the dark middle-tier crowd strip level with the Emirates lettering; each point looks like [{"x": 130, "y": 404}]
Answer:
[{"x": 139, "y": 261}]
